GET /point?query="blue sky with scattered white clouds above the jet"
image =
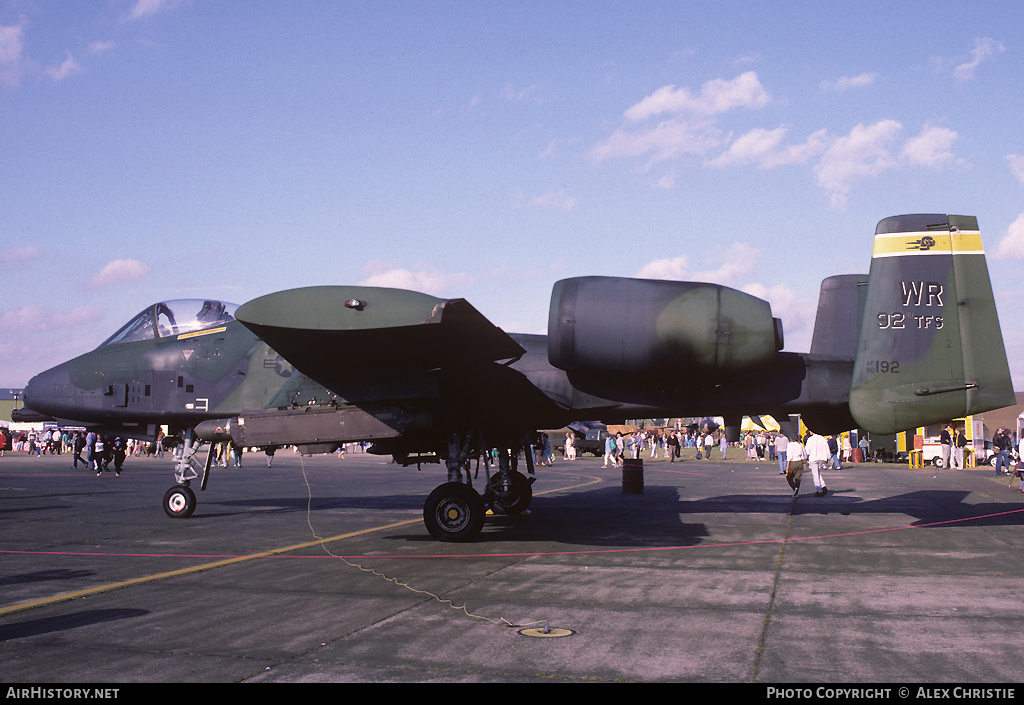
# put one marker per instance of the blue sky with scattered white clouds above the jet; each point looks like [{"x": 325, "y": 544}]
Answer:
[{"x": 155, "y": 150}]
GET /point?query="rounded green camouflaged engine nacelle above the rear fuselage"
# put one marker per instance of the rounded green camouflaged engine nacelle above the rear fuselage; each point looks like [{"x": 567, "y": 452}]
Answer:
[{"x": 637, "y": 328}]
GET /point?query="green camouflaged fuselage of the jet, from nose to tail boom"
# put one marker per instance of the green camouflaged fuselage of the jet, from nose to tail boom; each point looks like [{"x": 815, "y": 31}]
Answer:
[{"x": 226, "y": 371}]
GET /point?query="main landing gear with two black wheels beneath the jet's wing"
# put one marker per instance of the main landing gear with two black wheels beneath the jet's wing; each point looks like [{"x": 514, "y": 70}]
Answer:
[{"x": 455, "y": 512}]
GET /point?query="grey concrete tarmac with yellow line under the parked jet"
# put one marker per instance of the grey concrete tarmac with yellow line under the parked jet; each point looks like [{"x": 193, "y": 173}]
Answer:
[{"x": 320, "y": 570}]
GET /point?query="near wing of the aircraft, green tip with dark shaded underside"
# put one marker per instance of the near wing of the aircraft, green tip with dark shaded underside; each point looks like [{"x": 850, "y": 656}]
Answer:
[{"x": 438, "y": 361}]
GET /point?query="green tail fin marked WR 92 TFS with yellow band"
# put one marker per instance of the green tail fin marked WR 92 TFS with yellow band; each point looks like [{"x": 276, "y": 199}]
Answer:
[{"x": 930, "y": 348}]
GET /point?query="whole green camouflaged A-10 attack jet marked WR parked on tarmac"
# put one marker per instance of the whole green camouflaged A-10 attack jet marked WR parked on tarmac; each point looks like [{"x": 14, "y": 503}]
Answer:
[{"x": 915, "y": 342}]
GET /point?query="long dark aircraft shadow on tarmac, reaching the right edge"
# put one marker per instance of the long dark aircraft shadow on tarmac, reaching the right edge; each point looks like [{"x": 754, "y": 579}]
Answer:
[{"x": 608, "y": 517}]
